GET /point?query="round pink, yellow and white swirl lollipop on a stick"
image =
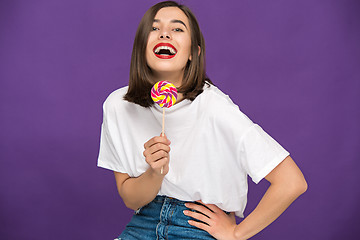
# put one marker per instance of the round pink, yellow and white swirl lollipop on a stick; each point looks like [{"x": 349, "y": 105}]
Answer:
[{"x": 164, "y": 94}]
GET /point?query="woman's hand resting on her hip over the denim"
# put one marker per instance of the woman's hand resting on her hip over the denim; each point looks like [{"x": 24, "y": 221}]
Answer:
[{"x": 213, "y": 220}]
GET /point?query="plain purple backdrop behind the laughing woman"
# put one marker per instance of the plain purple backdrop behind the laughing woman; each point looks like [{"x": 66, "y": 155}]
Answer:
[{"x": 291, "y": 66}]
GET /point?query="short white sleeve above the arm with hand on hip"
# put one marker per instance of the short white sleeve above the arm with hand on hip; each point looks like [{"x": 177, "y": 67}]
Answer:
[{"x": 260, "y": 153}]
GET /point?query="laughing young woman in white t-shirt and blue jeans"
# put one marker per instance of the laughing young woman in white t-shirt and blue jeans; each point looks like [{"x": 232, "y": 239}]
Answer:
[{"x": 209, "y": 149}]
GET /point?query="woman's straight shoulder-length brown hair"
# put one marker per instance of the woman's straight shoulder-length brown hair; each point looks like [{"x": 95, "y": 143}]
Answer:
[{"x": 140, "y": 83}]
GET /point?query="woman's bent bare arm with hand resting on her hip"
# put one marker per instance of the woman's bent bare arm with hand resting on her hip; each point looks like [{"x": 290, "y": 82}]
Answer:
[{"x": 287, "y": 184}]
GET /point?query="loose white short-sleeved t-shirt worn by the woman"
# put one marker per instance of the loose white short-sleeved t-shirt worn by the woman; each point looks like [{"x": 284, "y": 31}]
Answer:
[{"x": 214, "y": 146}]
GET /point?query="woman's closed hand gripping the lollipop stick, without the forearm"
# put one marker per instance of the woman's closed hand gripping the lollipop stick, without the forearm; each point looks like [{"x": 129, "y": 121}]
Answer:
[{"x": 156, "y": 154}]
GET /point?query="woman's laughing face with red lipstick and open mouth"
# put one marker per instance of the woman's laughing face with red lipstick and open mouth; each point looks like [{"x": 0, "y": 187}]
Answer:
[{"x": 169, "y": 44}]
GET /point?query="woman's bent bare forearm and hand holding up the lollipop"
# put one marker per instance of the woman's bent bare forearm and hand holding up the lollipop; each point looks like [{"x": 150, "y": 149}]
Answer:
[{"x": 139, "y": 191}]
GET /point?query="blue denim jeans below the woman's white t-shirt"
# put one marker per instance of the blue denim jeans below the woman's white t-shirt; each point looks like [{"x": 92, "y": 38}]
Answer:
[{"x": 161, "y": 219}]
